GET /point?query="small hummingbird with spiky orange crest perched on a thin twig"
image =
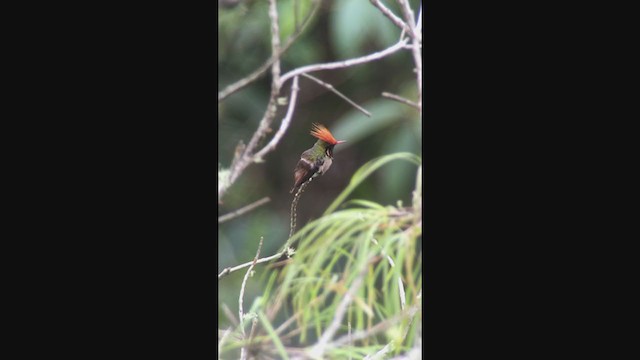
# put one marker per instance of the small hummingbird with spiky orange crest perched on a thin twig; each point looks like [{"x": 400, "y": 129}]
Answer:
[{"x": 317, "y": 160}]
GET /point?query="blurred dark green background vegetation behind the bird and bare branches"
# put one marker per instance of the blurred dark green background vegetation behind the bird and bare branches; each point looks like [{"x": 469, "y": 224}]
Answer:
[{"x": 339, "y": 30}]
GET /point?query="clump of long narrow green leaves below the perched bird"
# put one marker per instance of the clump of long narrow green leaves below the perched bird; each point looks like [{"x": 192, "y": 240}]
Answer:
[{"x": 365, "y": 252}]
